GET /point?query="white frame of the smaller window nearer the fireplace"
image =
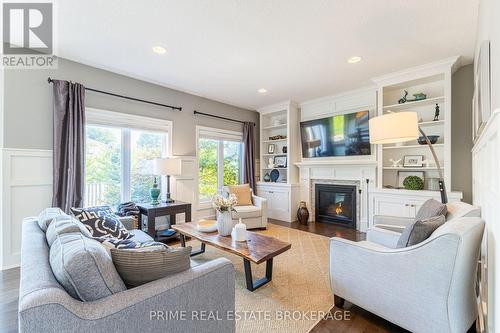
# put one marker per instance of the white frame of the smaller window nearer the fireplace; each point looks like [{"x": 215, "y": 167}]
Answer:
[{"x": 221, "y": 135}]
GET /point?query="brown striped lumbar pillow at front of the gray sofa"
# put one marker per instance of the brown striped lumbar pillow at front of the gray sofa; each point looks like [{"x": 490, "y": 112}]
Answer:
[{"x": 139, "y": 266}]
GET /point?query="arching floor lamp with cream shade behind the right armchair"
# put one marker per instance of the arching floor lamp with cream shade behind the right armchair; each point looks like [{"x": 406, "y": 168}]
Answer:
[{"x": 402, "y": 127}]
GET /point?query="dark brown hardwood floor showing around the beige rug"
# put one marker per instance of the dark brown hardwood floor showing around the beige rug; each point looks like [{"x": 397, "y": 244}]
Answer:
[{"x": 360, "y": 320}]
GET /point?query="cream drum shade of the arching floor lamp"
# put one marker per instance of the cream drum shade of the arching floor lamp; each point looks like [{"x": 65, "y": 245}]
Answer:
[{"x": 394, "y": 127}]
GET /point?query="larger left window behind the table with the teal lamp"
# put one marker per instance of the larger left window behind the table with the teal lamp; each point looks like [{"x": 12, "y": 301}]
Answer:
[{"x": 118, "y": 150}]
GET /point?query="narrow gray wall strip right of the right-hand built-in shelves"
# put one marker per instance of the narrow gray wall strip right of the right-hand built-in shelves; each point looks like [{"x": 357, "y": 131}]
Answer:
[{"x": 461, "y": 131}]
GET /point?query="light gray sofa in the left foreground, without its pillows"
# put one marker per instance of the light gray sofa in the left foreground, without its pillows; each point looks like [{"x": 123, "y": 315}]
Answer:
[{"x": 45, "y": 306}]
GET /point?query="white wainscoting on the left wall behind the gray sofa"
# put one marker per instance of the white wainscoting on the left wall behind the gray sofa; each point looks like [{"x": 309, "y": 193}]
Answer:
[{"x": 26, "y": 191}]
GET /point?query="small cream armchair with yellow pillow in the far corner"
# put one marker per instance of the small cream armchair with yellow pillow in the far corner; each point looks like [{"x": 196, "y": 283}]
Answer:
[{"x": 253, "y": 216}]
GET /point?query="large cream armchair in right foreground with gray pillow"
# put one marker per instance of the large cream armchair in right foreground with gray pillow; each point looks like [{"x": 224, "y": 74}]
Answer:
[{"x": 427, "y": 287}]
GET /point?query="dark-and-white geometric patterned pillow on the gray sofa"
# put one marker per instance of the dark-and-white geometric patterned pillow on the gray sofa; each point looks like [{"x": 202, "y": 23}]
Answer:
[{"x": 101, "y": 222}]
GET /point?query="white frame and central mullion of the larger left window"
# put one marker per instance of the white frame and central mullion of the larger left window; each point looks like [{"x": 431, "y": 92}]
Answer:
[{"x": 127, "y": 122}]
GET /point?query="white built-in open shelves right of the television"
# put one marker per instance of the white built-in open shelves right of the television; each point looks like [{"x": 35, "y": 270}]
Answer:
[{"x": 434, "y": 80}]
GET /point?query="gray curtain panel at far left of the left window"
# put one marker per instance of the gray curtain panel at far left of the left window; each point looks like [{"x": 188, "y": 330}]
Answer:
[{"x": 69, "y": 145}]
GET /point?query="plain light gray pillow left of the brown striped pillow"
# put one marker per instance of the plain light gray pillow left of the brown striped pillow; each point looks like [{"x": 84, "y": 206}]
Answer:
[{"x": 83, "y": 267}]
